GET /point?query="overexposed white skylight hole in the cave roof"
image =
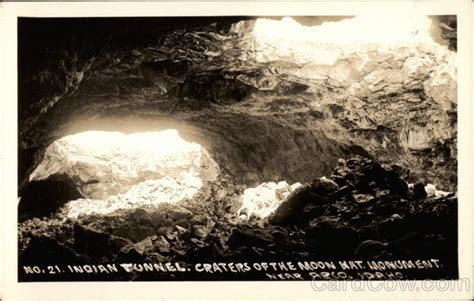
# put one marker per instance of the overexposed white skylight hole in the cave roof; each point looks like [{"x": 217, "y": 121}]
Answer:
[{"x": 325, "y": 43}]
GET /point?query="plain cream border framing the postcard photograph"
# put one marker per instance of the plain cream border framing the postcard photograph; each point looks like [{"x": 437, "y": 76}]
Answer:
[{"x": 12, "y": 290}]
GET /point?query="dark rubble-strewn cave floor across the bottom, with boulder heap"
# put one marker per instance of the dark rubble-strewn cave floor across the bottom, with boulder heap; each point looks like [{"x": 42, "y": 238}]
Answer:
[{"x": 364, "y": 210}]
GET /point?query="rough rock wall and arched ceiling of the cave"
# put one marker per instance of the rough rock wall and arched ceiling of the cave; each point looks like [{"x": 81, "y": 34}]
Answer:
[{"x": 262, "y": 120}]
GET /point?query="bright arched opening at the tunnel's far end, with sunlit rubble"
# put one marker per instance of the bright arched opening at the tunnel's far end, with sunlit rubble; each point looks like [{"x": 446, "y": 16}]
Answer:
[{"x": 116, "y": 171}]
